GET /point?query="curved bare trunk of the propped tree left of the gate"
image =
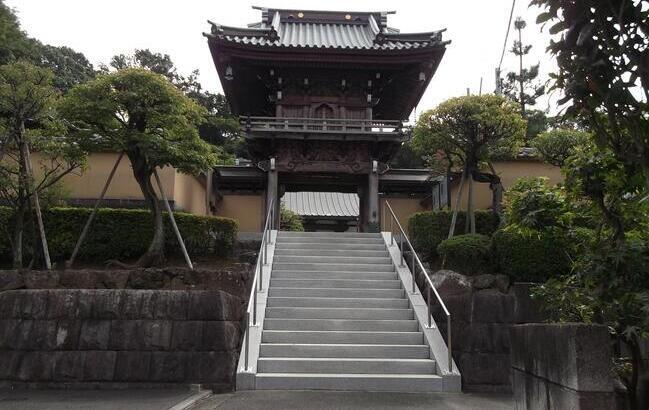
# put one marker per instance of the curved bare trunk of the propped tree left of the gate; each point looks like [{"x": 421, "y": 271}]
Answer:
[{"x": 154, "y": 256}]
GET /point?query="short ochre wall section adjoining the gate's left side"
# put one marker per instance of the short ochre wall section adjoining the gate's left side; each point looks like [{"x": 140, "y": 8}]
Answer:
[{"x": 247, "y": 209}]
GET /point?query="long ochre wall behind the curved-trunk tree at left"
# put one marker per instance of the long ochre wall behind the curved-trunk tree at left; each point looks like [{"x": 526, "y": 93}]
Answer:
[{"x": 87, "y": 184}]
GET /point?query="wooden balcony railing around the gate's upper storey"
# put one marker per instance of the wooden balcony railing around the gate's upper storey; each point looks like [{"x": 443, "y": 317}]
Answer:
[{"x": 280, "y": 125}]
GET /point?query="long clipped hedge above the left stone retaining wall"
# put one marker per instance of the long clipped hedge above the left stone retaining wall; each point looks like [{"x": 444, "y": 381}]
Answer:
[{"x": 123, "y": 233}]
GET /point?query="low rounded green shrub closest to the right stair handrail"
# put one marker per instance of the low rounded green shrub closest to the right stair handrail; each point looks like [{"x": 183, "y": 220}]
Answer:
[{"x": 467, "y": 254}]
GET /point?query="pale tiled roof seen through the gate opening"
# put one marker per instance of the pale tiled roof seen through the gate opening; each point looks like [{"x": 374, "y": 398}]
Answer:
[{"x": 332, "y": 204}]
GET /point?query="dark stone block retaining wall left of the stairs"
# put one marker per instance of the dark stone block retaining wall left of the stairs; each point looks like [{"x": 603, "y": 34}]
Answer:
[{"x": 95, "y": 338}]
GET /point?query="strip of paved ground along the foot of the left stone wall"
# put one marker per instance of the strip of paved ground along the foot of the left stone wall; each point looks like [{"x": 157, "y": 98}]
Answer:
[{"x": 23, "y": 399}]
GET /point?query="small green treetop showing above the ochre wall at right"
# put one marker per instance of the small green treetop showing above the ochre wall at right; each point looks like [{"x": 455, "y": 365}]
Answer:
[{"x": 556, "y": 146}]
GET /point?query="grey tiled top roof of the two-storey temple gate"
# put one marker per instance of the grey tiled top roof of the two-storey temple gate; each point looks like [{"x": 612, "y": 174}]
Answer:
[{"x": 361, "y": 33}]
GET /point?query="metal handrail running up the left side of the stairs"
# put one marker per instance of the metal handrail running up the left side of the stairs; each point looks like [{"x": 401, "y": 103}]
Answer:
[{"x": 257, "y": 281}]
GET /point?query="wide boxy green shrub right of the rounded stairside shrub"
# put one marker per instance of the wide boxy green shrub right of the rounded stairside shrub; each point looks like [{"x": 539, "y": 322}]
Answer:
[{"x": 529, "y": 255}]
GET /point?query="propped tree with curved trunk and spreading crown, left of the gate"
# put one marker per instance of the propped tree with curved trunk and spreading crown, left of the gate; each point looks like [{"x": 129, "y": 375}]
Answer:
[{"x": 152, "y": 121}]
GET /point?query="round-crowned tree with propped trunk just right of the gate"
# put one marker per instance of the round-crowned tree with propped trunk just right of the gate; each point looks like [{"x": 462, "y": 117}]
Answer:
[{"x": 468, "y": 132}]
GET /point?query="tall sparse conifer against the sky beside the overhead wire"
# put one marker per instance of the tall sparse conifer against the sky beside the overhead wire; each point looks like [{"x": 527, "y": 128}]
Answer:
[{"x": 522, "y": 86}]
